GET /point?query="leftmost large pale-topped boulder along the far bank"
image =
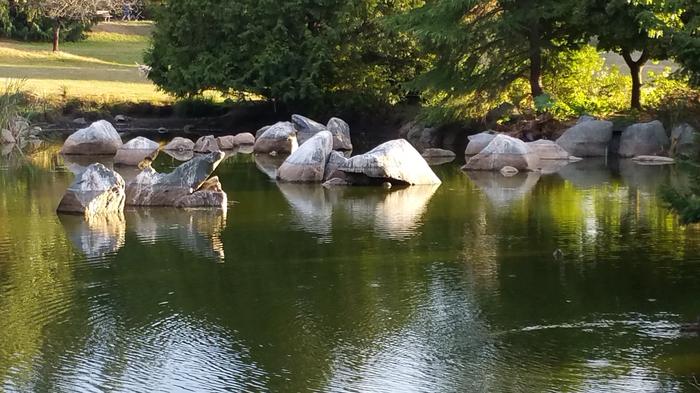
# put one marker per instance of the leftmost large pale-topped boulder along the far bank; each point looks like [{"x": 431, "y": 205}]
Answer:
[{"x": 100, "y": 138}]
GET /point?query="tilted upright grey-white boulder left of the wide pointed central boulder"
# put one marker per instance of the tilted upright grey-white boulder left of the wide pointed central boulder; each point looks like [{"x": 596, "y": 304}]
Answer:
[{"x": 308, "y": 163}]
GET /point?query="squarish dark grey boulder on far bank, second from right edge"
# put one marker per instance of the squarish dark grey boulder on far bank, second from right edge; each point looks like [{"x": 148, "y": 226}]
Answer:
[{"x": 643, "y": 139}]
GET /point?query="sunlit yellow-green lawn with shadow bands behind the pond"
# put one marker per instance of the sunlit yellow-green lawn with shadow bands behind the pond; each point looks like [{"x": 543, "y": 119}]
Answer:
[{"x": 102, "y": 68}]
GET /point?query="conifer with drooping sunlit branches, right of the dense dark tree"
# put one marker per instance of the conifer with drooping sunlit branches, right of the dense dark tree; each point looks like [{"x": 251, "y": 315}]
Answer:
[{"x": 484, "y": 45}]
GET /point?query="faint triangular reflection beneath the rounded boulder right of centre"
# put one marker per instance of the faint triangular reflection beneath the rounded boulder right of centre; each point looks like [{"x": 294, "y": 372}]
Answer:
[{"x": 502, "y": 191}]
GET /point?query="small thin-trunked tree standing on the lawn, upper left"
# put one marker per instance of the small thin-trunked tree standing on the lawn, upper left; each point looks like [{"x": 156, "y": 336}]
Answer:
[{"x": 62, "y": 12}]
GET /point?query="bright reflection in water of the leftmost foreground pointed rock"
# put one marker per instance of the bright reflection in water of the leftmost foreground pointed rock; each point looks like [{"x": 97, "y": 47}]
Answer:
[{"x": 96, "y": 236}]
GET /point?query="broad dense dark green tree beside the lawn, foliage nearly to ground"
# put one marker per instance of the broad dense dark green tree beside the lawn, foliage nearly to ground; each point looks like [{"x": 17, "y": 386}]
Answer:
[{"x": 294, "y": 52}]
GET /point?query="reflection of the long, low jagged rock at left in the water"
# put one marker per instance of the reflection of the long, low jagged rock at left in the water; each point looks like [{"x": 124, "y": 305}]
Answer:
[{"x": 194, "y": 230}]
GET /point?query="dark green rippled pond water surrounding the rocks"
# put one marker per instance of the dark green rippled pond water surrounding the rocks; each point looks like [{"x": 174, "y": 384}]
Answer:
[{"x": 295, "y": 288}]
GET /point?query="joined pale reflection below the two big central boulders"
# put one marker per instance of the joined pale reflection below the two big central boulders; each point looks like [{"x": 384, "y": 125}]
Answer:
[{"x": 395, "y": 214}]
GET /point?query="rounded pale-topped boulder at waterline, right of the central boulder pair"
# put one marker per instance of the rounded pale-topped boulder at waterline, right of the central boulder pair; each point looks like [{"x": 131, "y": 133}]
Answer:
[{"x": 501, "y": 152}]
